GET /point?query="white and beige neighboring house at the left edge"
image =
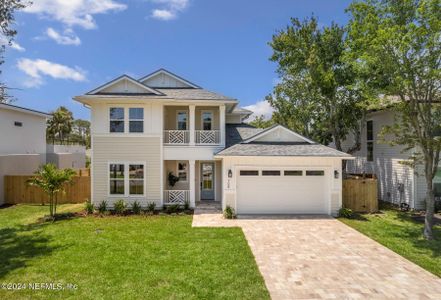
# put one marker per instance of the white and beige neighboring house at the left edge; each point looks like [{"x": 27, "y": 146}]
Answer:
[{"x": 23, "y": 141}]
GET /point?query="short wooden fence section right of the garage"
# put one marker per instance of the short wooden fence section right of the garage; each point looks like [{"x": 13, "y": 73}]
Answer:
[{"x": 360, "y": 194}]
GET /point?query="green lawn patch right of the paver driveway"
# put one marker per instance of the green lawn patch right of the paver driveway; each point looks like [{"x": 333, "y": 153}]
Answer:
[{"x": 397, "y": 231}]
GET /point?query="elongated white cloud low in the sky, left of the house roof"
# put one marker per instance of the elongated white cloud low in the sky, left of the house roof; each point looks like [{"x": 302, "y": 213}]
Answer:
[{"x": 38, "y": 68}]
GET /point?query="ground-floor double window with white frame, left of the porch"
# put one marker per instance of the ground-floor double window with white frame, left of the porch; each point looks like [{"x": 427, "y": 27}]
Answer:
[{"x": 126, "y": 179}]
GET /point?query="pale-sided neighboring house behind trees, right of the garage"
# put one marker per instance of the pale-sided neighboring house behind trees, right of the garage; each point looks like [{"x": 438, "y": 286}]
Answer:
[{"x": 398, "y": 181}]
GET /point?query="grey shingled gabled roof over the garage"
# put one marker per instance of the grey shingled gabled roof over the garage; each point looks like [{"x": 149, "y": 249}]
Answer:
[{"x": 239, "y": 145}]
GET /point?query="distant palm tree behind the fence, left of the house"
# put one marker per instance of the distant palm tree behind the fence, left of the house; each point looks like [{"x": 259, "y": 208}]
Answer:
[{"x": 60, "y": 125}]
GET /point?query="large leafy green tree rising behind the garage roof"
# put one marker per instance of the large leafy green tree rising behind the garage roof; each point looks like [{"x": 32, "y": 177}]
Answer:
[{"x": 319, "y": 94}]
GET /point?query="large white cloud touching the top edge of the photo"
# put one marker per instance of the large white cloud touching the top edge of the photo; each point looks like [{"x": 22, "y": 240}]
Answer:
[{"x": 74, "y": 12}]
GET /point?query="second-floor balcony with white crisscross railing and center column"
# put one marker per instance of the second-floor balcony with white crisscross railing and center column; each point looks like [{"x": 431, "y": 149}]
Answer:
[{"x": 194, "y": 125}]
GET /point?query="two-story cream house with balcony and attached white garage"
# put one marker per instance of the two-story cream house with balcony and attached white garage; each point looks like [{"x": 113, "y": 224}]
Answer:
[{"x": 144, "y": 131}]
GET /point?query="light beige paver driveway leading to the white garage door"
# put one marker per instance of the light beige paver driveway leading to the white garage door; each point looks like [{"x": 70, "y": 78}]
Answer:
[{"x": 322, "y": 258}]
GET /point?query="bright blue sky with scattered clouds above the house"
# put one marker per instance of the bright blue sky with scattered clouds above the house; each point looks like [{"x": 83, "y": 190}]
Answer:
[{"x": 66, "y": 48}]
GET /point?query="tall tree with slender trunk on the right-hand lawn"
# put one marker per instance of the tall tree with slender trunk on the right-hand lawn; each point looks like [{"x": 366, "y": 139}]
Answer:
[{"x": 399, "y": 44}]
